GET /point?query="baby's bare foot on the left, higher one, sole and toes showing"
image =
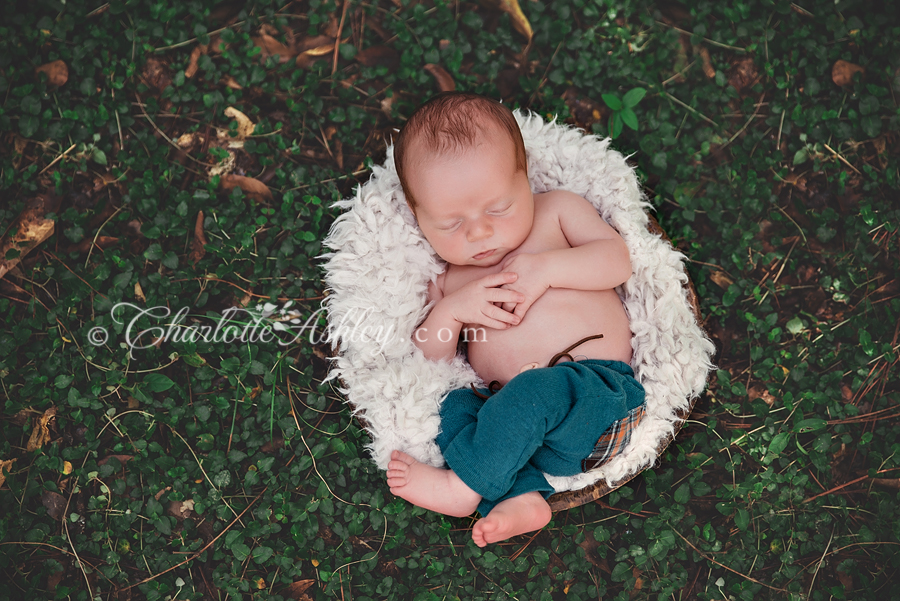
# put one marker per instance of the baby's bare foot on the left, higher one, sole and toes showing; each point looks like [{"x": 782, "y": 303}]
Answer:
[{"x": 429, "y": 487}]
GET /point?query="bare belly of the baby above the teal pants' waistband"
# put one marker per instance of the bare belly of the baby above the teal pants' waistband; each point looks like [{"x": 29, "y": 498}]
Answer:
[{"x": 558, "y": 319}]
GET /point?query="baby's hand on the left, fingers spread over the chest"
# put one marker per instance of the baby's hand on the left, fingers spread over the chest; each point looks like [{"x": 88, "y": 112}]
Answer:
[{"x": 480, "y": 302}]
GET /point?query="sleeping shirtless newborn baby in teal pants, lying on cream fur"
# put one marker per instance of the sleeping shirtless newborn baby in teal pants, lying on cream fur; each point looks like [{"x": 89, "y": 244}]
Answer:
[{"x": 529, "y": 287}]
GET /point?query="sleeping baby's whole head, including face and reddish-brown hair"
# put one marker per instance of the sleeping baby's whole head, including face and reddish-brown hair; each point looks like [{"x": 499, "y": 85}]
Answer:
[{"x": 462, "y": 165}]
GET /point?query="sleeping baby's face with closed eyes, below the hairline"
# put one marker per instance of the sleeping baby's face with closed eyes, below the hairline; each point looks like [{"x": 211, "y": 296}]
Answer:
[{"x": 476, "y": 208}]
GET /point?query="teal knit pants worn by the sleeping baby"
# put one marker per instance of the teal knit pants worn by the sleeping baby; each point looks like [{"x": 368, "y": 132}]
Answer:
[{"x": 544, "y": 420}]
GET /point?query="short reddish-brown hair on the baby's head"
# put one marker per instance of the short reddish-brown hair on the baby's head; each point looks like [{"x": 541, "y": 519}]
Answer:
[{"x": 450, "y": 123}]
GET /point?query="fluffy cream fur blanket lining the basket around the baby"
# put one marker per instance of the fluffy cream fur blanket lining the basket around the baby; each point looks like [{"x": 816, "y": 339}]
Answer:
[{"x": 381, "y": 265}]
